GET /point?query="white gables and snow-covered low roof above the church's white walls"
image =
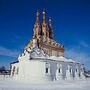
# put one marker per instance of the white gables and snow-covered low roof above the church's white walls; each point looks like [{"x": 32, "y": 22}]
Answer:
[{"x": 36, "y": 52}]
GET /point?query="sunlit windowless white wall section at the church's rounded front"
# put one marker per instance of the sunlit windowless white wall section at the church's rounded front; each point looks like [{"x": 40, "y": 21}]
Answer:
[{"x": 32, "y": 70}]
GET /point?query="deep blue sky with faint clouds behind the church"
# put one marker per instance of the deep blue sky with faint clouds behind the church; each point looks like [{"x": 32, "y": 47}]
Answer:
[{"x": 71, "y": 27}]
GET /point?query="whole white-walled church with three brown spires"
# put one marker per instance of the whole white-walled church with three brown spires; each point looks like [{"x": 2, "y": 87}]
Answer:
[{"x": 43, "y": 58}]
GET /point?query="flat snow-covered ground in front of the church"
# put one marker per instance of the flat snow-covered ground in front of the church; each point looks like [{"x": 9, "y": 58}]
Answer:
[{"x": 58, "y": 85}]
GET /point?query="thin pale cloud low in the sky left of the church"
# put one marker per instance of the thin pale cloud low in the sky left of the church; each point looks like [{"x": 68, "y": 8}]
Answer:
[{"x": 8, "y": 52}]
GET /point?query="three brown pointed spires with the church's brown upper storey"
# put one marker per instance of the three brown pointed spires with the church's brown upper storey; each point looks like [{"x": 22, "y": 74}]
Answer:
[{"x": 43, "y": 36}]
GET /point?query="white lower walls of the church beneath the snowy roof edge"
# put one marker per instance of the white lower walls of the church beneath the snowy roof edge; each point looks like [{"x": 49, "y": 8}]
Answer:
[{"x": 35, "y": 70}]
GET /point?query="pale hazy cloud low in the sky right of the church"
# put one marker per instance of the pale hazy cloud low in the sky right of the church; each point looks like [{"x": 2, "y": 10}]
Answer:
[{"x": 78, "y": 55}]
